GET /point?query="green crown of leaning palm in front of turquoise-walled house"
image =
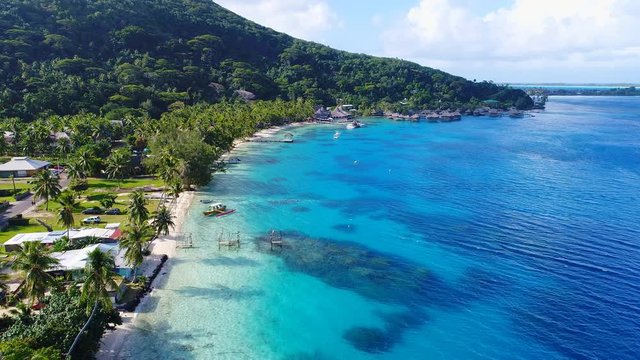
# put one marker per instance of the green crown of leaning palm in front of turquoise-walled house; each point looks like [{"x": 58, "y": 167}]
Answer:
[{"x": 98, "y": 279}]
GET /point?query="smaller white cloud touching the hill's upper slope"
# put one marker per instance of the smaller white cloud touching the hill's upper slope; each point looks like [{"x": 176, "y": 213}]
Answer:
[{"x": 308, "y": 20}]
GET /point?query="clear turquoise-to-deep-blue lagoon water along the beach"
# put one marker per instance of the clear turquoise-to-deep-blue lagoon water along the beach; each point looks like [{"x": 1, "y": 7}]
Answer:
[{"x": 480, "y": 239}]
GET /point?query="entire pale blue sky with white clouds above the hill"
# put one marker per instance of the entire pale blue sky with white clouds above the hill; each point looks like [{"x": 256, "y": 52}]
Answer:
[{"x": 506, "y": 41}]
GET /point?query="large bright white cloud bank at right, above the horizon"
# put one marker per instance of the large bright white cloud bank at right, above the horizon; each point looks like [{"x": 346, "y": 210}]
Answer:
[{"x": 562, "y": 33}]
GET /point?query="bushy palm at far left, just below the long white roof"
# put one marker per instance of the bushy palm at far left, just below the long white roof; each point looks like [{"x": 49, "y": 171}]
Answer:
[{"x": 33, "y": 262}]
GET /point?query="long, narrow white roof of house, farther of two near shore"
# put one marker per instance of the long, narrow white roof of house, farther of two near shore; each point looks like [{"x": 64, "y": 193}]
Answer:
[{"x": 48, "y": 238}]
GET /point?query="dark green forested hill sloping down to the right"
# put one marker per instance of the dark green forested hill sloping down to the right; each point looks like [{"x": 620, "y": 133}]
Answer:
[{"x": 119, "y": 57}]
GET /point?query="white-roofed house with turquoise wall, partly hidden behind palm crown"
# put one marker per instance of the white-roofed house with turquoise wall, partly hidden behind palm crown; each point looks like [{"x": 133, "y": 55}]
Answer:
[{"x": 74, "y": 261}]
